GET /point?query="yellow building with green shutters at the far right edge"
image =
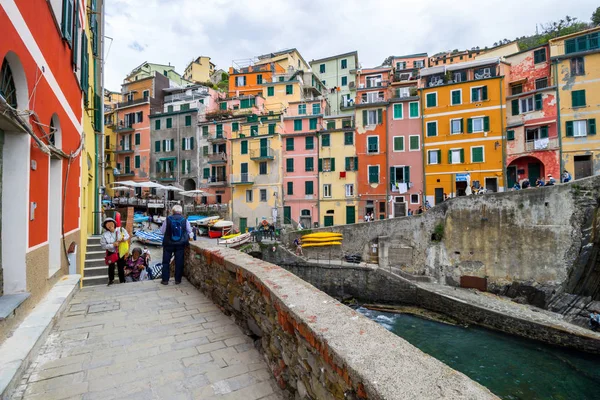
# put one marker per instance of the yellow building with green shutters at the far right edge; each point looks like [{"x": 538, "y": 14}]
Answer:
[{"x": 576, "y": 71}]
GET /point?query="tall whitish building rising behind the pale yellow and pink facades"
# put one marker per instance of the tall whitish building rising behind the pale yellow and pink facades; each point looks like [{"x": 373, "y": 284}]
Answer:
[{"x": 338, "y": 75}]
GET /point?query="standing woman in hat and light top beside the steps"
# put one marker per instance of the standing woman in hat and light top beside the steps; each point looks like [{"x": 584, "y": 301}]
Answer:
[{"x": 112, "y": 237}]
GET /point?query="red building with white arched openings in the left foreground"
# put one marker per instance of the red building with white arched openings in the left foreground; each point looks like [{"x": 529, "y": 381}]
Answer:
[{"x": 41, "y": 109}]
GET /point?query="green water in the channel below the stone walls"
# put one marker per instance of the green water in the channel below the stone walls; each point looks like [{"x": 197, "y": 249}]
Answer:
[{"x": 511, "y": 367}]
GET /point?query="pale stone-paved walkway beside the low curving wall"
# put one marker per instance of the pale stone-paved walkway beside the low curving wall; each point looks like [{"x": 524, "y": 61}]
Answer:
[{"x": 146, "y": 341}]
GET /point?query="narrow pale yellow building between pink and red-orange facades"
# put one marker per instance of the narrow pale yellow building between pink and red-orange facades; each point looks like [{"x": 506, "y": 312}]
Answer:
[{"x": 338, "y": 199}]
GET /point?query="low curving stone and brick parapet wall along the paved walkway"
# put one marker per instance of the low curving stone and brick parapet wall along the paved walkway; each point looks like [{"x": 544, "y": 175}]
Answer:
[{"x": 315, "y": 346}]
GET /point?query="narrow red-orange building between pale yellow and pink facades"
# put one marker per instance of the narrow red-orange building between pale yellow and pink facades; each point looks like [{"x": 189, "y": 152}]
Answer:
[{"x": 372, "y": 99}]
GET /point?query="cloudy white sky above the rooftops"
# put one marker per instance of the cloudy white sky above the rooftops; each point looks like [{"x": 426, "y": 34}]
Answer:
[{"x": 176, "y": 31}]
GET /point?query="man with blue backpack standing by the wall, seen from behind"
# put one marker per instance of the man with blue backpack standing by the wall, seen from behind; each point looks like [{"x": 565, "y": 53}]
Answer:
[{"x": 177, "y": 232}]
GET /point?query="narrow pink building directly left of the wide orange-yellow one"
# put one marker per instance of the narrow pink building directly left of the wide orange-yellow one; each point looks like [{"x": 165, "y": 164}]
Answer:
[{"x": 404, "y": 156}]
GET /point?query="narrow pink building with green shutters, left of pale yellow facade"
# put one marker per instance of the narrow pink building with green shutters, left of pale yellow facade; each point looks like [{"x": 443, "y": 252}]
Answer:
[{"x": 300, "y": 166}]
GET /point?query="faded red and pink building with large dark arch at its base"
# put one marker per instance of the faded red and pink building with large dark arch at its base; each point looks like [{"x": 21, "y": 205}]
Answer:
[{"x": 532, "y": 144}]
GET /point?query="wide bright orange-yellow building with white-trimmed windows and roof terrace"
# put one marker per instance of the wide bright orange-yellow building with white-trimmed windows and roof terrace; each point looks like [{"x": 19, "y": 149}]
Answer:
[{"x": 463, "y": 113}]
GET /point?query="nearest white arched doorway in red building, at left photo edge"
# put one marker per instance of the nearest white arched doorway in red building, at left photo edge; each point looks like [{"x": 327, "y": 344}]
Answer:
[{"x": 14, "y": 176}]
